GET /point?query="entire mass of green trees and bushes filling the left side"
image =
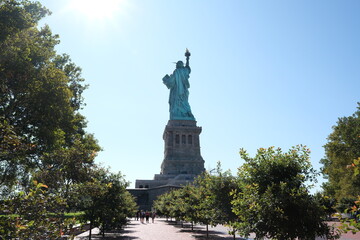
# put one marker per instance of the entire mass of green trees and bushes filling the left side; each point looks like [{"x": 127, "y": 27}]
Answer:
[{"x": 43, "y": 138}]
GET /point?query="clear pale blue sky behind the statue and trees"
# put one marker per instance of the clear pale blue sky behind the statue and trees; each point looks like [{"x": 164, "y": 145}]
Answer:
[{"x": 264, "y": 73}]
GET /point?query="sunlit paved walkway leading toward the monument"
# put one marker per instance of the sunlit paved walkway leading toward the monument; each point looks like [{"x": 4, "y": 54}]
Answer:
[{"x": 163, "y": 230}]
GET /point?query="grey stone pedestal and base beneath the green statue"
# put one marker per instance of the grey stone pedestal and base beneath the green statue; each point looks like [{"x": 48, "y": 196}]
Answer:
[{"x": 182, "y": 163}]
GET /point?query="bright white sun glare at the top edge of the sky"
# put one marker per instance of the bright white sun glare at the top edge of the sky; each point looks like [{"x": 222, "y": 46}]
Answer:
[{"x": 96, "y": 9}]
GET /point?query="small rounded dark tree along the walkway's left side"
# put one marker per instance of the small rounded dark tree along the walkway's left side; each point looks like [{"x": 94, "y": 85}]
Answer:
[{"x": 106, "y": 202}]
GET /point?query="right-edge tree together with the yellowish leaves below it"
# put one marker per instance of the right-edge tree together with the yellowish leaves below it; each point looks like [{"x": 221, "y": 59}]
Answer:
[{"x": 341, "y": 168}]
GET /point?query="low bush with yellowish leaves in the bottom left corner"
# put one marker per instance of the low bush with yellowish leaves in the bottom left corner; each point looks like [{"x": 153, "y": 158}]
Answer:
[{"x": 37, "y": 214}]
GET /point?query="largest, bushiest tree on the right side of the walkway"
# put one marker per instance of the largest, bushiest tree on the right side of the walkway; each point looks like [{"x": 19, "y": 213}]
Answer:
[{"x": 273, "y": 200}]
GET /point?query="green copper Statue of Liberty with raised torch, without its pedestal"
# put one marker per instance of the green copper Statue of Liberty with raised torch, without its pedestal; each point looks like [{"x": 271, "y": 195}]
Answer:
[{"x": 178, "y": 83}]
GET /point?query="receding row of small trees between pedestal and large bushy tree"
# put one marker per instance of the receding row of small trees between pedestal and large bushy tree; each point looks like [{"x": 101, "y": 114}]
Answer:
[{"x": 206, "y": 201}]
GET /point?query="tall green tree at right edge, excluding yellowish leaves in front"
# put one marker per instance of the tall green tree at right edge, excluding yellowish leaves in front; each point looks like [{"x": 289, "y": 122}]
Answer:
[{"x": 342, "y": 148}]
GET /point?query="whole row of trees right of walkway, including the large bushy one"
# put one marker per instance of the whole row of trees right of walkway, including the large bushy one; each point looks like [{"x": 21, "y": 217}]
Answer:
[{"x": 269, "y": 197}]
